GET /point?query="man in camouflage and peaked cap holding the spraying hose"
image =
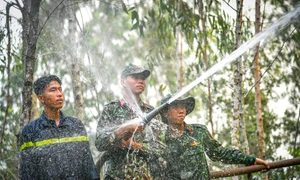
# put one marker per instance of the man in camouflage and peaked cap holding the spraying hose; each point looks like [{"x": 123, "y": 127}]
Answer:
[{"x": 130, "y": 148}]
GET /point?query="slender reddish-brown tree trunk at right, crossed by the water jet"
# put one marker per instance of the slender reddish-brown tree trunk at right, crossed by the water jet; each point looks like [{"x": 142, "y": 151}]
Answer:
[{"x": 259, "y": 120}]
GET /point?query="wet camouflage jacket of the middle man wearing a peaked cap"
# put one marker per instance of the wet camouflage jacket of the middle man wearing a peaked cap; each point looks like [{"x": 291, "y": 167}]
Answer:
[{"x": 129, "y": 163}]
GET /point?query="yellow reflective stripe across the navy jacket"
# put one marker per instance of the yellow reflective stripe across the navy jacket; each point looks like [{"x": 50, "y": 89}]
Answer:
[{"x": 53, "y": 141}]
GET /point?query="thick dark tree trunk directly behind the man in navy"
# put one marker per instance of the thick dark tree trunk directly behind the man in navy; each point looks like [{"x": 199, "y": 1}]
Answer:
[{"x": 30, "y": 34}]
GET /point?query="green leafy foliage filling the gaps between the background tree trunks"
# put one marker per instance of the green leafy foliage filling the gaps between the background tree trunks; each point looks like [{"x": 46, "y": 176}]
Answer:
[{"x": 144, "y": 32}]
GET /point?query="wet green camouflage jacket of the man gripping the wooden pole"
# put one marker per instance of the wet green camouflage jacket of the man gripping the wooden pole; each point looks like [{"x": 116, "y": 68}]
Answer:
[{"x": 186, "y": 158}]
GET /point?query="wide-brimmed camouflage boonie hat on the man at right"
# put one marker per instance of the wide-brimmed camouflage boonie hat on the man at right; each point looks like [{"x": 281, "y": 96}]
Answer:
[{"x": 188, "y": 102}]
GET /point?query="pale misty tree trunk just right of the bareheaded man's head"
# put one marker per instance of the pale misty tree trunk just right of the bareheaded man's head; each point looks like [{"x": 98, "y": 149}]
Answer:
[{"x": 75, "y": 62}]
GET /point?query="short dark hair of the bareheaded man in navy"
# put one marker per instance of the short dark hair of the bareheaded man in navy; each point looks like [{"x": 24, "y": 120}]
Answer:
[{"x": 40, "y": 84}]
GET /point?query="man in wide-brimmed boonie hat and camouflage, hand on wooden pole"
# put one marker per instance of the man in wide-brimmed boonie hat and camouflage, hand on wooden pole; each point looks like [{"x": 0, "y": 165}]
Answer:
[{"x": 187, "y": 144}]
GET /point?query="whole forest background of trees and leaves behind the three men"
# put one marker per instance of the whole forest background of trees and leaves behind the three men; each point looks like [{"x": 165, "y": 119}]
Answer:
[{"x": 252, "y": 104}]
